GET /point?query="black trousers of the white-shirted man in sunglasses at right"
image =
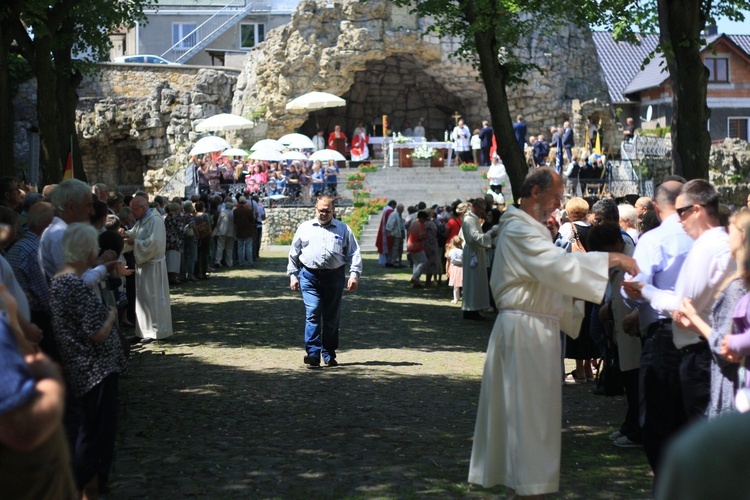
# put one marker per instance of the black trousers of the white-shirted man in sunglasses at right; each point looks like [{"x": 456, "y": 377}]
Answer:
[{"x": 695, "y": 379}]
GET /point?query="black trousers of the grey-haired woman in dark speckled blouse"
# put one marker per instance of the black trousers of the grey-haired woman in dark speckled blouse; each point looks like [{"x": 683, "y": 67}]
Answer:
[{"x": 95, "y": 445}]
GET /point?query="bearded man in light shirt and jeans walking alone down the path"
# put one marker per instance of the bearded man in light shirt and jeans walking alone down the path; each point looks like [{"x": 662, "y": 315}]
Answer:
[{"x": 320, "y": 250}]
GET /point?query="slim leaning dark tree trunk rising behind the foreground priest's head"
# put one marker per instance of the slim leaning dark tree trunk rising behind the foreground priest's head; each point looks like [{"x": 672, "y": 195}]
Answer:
[{"x": 494, "y": 76}]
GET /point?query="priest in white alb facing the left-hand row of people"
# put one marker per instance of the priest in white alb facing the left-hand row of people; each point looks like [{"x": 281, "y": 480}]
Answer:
[{"x": 148, "y": 240}]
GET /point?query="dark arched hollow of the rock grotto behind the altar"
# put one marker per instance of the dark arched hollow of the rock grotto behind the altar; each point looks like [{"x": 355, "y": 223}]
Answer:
[{"x": 397, "y": 86}]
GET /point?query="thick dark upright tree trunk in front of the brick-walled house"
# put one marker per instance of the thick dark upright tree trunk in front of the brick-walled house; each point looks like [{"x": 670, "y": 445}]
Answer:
[{"x": 680, "y": 24}]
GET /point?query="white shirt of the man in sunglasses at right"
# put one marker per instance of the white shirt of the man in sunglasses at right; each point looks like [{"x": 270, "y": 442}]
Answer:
[{"x": 708, "y": 263}]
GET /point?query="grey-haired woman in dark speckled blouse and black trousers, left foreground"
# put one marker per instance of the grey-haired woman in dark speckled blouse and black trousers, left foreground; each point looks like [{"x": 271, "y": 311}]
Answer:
[{"x": 92, "y": 358}]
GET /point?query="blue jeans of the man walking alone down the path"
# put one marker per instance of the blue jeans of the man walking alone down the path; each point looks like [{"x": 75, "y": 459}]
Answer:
[{"x": 322, "y": 296}]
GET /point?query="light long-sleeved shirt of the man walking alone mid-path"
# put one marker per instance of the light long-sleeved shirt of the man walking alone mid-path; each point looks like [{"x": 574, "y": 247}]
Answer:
[{"x": 324, "y": 247}]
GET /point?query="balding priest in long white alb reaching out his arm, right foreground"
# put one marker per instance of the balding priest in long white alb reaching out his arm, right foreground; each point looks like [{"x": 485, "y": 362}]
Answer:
[{"x": 517, "y": 436}]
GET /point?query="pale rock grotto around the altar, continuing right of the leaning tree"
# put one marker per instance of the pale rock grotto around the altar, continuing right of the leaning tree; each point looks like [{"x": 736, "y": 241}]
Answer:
[{"x": 360, "y": 50}]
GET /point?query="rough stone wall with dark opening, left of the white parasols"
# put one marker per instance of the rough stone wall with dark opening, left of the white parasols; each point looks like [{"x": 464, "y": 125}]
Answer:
[{"x": 135, "y": 138}]
